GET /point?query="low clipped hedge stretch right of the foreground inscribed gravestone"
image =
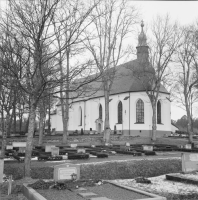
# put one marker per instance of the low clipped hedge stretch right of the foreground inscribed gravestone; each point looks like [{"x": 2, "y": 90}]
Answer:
[{"x": 130, "y": 169}]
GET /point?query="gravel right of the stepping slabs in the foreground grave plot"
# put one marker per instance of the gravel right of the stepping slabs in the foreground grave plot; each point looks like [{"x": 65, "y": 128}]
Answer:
[{"x": 115, "y": 193}]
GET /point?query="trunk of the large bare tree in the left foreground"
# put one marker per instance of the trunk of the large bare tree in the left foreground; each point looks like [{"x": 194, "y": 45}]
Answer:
[{"x": 28, "y": 152}]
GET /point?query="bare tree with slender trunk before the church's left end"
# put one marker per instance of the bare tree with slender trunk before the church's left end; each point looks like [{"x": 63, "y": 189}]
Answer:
[{"x": 75, "y": 13}]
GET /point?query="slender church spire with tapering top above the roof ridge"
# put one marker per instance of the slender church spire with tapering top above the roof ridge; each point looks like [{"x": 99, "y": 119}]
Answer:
[{"x": 142, "y": 48}]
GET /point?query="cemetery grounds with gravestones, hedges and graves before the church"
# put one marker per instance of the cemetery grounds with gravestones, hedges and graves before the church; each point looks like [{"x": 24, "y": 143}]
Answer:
[{"x": 96, "y": 172}]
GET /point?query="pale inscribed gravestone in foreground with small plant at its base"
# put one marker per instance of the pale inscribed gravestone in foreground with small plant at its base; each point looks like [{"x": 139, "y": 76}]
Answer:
[{"x": 64, "y": 171}]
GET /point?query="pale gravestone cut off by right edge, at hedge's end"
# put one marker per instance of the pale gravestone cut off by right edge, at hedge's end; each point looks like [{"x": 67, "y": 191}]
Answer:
[{"x": 189, "y": 162}]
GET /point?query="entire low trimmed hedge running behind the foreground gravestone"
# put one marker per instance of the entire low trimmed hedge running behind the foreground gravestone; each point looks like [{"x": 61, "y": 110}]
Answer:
[{"x": 110, "y": 170}]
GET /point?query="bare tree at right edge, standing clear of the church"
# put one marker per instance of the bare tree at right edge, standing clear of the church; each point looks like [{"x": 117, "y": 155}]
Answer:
[{"x": 186, "y": 78}]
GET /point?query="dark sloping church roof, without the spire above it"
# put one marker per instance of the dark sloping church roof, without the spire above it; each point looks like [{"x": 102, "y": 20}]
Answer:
[{"x": 124, "y": 81}]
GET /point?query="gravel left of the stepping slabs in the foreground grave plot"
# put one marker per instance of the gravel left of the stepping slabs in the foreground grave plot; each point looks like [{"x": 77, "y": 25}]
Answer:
[{"x": 53, "y": 194}]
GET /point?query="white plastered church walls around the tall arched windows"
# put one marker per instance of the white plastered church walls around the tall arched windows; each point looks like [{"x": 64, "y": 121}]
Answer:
[{"x": 90, "y": 113}]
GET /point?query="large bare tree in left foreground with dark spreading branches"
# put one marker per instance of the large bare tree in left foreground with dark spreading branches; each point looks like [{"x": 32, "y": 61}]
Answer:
[{"x": 32, "y": 43}]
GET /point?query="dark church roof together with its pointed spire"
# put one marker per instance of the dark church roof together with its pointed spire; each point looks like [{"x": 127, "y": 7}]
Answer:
[{"x": 132, "y": 76}]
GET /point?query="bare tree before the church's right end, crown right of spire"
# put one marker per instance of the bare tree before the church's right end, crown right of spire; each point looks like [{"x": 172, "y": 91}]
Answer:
[{"x": 154, "y": 69}]
